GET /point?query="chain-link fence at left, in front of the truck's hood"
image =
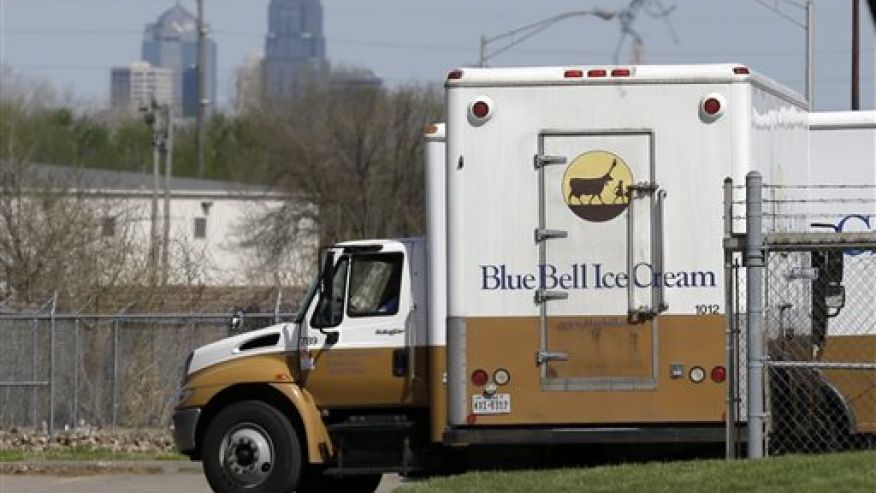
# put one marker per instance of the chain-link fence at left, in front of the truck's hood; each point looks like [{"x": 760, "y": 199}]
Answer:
[{"x": 59, "y": 370}]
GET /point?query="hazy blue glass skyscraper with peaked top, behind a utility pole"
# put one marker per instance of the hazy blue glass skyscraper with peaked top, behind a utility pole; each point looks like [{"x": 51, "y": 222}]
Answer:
[{"x": 172, "y": 42}]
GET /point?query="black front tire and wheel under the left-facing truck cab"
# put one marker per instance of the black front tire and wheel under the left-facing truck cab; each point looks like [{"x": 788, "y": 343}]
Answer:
[{"x": 252, "y": 447}]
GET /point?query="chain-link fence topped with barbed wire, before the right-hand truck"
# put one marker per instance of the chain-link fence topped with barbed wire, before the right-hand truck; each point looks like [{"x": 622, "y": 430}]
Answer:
[{"x": 805, "y": 305}]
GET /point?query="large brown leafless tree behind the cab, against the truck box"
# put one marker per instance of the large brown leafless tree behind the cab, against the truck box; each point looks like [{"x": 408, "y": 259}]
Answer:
[{"x": 353, "y": 151}]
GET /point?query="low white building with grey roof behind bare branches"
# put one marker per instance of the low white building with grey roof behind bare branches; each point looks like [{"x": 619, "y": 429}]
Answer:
[{"x": 209, "y": 220}]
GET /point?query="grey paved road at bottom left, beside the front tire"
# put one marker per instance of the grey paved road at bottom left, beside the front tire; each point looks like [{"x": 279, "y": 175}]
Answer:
[{"x": 172, "y": 482}]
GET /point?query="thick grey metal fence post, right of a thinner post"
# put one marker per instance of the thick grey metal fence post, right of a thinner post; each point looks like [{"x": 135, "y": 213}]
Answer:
[{"x": 754, "y": 262}]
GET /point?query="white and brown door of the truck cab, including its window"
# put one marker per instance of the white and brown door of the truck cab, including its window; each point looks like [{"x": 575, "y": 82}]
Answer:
[{"x": 357, "y": 332}]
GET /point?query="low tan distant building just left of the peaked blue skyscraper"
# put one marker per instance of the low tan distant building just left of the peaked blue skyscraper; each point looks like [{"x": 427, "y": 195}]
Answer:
[{"x": 133, "y": 86}]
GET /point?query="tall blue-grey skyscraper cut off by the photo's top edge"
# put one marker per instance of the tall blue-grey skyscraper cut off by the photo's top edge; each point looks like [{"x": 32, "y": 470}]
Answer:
[{"x": 294, "y": 46}]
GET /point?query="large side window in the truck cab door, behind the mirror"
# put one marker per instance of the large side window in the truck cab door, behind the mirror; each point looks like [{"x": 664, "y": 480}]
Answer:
[{"x": 375, "y": 285}]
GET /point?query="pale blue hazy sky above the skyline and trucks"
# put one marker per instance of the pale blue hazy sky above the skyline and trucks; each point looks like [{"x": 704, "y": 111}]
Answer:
[{"x": 73, "y": 43}]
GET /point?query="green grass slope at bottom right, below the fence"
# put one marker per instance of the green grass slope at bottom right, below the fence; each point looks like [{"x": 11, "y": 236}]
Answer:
[{"x": 836, "y": 473}]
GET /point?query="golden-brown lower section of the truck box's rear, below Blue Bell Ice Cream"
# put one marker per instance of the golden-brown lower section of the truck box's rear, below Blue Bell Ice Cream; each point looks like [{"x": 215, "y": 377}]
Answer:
[{"x": 512, "y": 343}]
